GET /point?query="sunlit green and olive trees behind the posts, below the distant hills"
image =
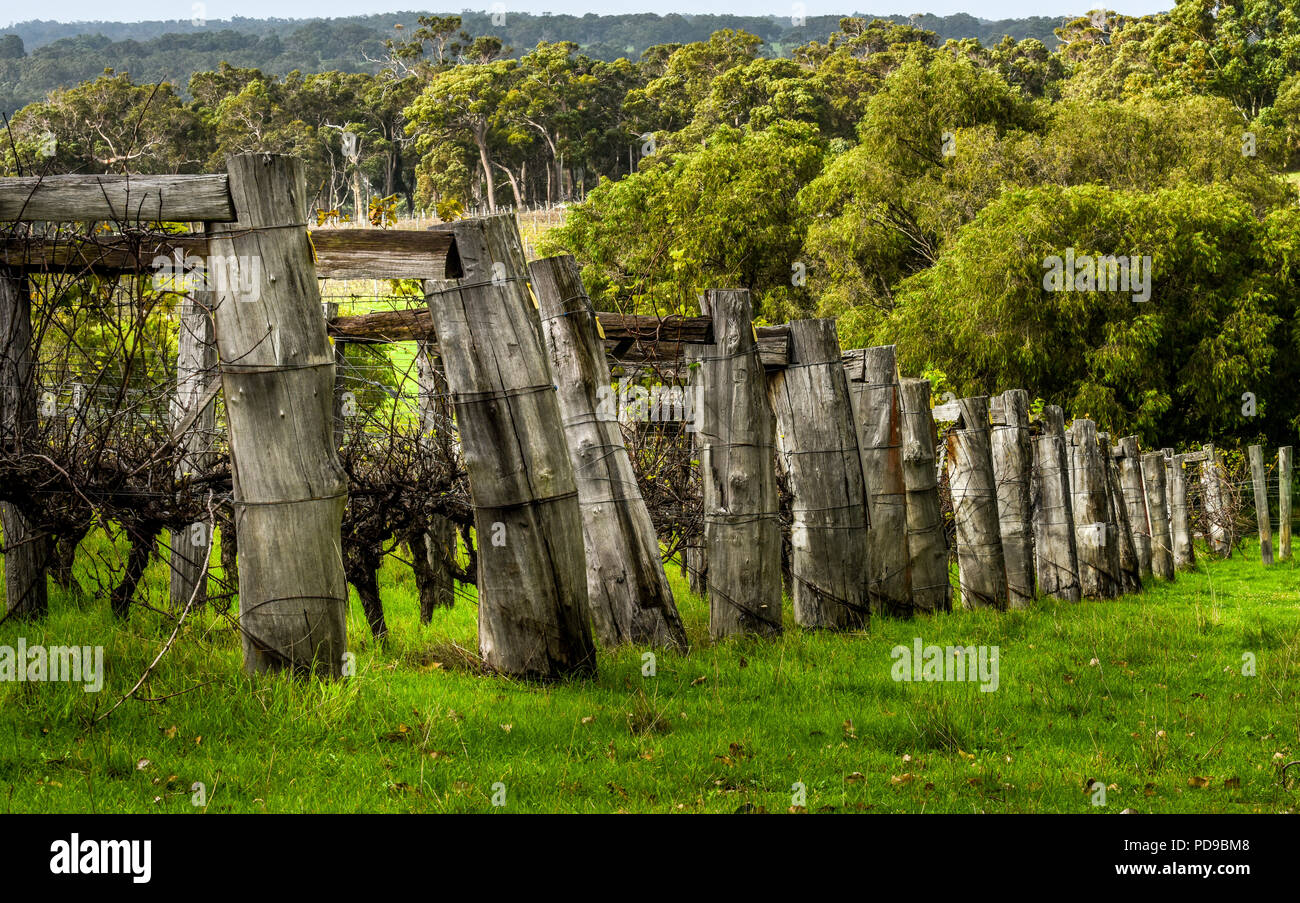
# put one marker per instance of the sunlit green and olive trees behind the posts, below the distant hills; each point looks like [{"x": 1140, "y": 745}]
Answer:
[{"x": 913, "y": 188}]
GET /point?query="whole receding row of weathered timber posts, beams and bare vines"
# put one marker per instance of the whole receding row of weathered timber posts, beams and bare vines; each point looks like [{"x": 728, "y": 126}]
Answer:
[{"x": 175, "y": 384}]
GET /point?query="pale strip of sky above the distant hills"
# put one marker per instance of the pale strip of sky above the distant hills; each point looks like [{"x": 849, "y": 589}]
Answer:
[{"x": 136, "y": 11}]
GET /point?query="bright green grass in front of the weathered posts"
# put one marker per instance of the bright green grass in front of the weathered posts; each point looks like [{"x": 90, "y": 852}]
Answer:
[{"x": 1146, "y": 696}]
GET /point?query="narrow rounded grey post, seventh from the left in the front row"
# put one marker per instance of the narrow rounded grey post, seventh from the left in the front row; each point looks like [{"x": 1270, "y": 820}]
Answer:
[{"x": 928, "y": 546}]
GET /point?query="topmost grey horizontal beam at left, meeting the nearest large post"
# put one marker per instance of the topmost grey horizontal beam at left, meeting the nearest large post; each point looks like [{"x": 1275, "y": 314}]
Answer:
[{"x": 116, "y": 199}]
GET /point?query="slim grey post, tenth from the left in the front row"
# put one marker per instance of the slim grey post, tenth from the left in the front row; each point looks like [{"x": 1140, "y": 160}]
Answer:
[{"x": 1056, "y": 552}]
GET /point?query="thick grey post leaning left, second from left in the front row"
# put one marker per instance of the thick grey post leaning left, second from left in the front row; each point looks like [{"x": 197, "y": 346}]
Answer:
[{"x": 534, "y": 618}]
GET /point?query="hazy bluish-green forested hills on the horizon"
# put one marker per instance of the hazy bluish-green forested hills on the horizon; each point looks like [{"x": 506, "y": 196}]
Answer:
[{"x": 40, "y": 57}]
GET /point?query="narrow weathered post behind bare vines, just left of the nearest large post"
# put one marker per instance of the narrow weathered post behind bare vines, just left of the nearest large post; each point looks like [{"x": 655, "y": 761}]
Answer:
[{"x": 196, "y": 367}]
